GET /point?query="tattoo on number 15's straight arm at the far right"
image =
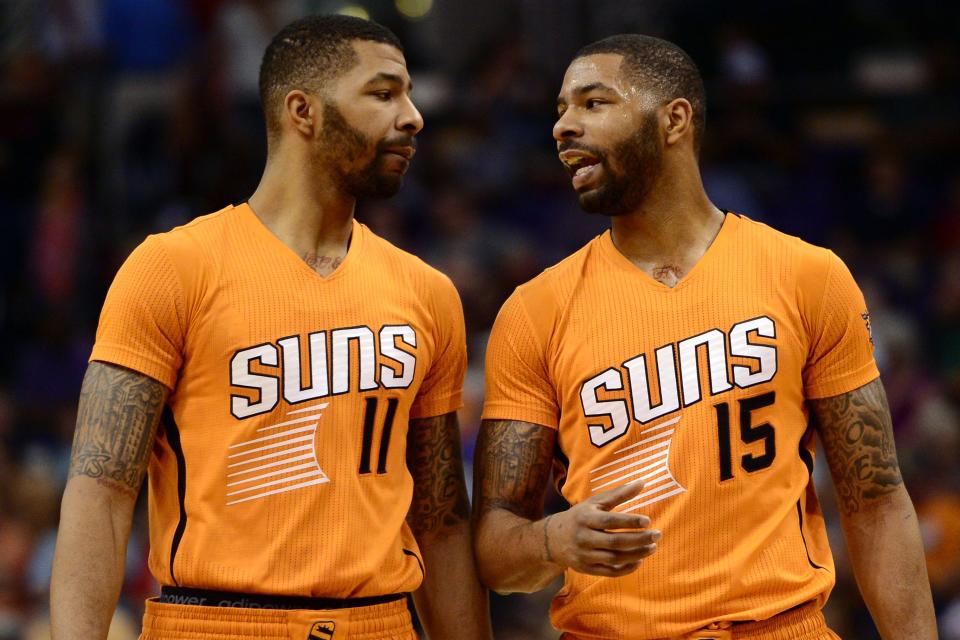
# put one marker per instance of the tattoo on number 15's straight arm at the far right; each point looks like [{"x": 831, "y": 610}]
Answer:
[{"x": 857, "y": 437}]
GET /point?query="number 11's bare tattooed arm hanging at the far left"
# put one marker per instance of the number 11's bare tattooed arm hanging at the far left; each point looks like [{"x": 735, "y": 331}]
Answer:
[{"x": 116, "y": 424}]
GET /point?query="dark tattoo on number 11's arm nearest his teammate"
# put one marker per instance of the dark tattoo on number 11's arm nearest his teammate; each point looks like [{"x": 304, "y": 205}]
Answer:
[{"x": 439, "y": 491}]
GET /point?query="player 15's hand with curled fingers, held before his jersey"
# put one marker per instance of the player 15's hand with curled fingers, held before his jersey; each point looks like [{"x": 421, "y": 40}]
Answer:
[{"x": 592, "y": 539}]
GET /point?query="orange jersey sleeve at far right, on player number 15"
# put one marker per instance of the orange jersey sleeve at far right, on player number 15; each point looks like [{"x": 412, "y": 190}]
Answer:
[{"x": 840, "y": 357}]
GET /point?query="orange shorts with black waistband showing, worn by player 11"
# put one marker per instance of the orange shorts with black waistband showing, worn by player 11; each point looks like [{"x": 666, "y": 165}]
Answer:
[{"x": 388, "y": 621}]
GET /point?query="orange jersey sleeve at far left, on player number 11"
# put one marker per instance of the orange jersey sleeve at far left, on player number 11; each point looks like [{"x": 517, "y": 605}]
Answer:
[{"x": 141, "y": 325}]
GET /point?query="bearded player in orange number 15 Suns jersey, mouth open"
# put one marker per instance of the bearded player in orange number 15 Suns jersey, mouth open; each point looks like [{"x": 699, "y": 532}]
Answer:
[{"x": 674, "y": 372}]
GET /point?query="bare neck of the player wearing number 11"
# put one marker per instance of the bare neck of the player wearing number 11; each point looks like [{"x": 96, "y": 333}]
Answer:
[{"x": 301, "y": 205}]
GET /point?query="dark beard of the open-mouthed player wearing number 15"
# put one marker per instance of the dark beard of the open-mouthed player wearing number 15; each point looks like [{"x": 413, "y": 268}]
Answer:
[{"x": 624, "y": 188}]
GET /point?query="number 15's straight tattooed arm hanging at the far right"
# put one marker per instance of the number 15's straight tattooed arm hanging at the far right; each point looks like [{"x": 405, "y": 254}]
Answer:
[{"x": 877, "y": 516}]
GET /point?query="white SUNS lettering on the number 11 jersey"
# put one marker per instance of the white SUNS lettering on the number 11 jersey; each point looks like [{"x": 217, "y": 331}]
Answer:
[{"x": 337, "y": 361}]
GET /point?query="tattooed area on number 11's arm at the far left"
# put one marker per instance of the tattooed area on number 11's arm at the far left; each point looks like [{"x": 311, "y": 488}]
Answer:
[{"x": 116, "y": 424}]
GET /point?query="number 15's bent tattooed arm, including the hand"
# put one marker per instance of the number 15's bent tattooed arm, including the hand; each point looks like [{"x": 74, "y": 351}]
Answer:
[{"x": 519, "y": 550}]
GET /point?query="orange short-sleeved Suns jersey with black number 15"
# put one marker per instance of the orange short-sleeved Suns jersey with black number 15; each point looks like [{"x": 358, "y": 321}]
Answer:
[{"x": 699, "y": 391}]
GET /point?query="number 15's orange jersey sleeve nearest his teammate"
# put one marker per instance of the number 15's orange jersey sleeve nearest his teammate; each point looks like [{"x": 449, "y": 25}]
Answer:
[{"x": 517, "y": 381}]
